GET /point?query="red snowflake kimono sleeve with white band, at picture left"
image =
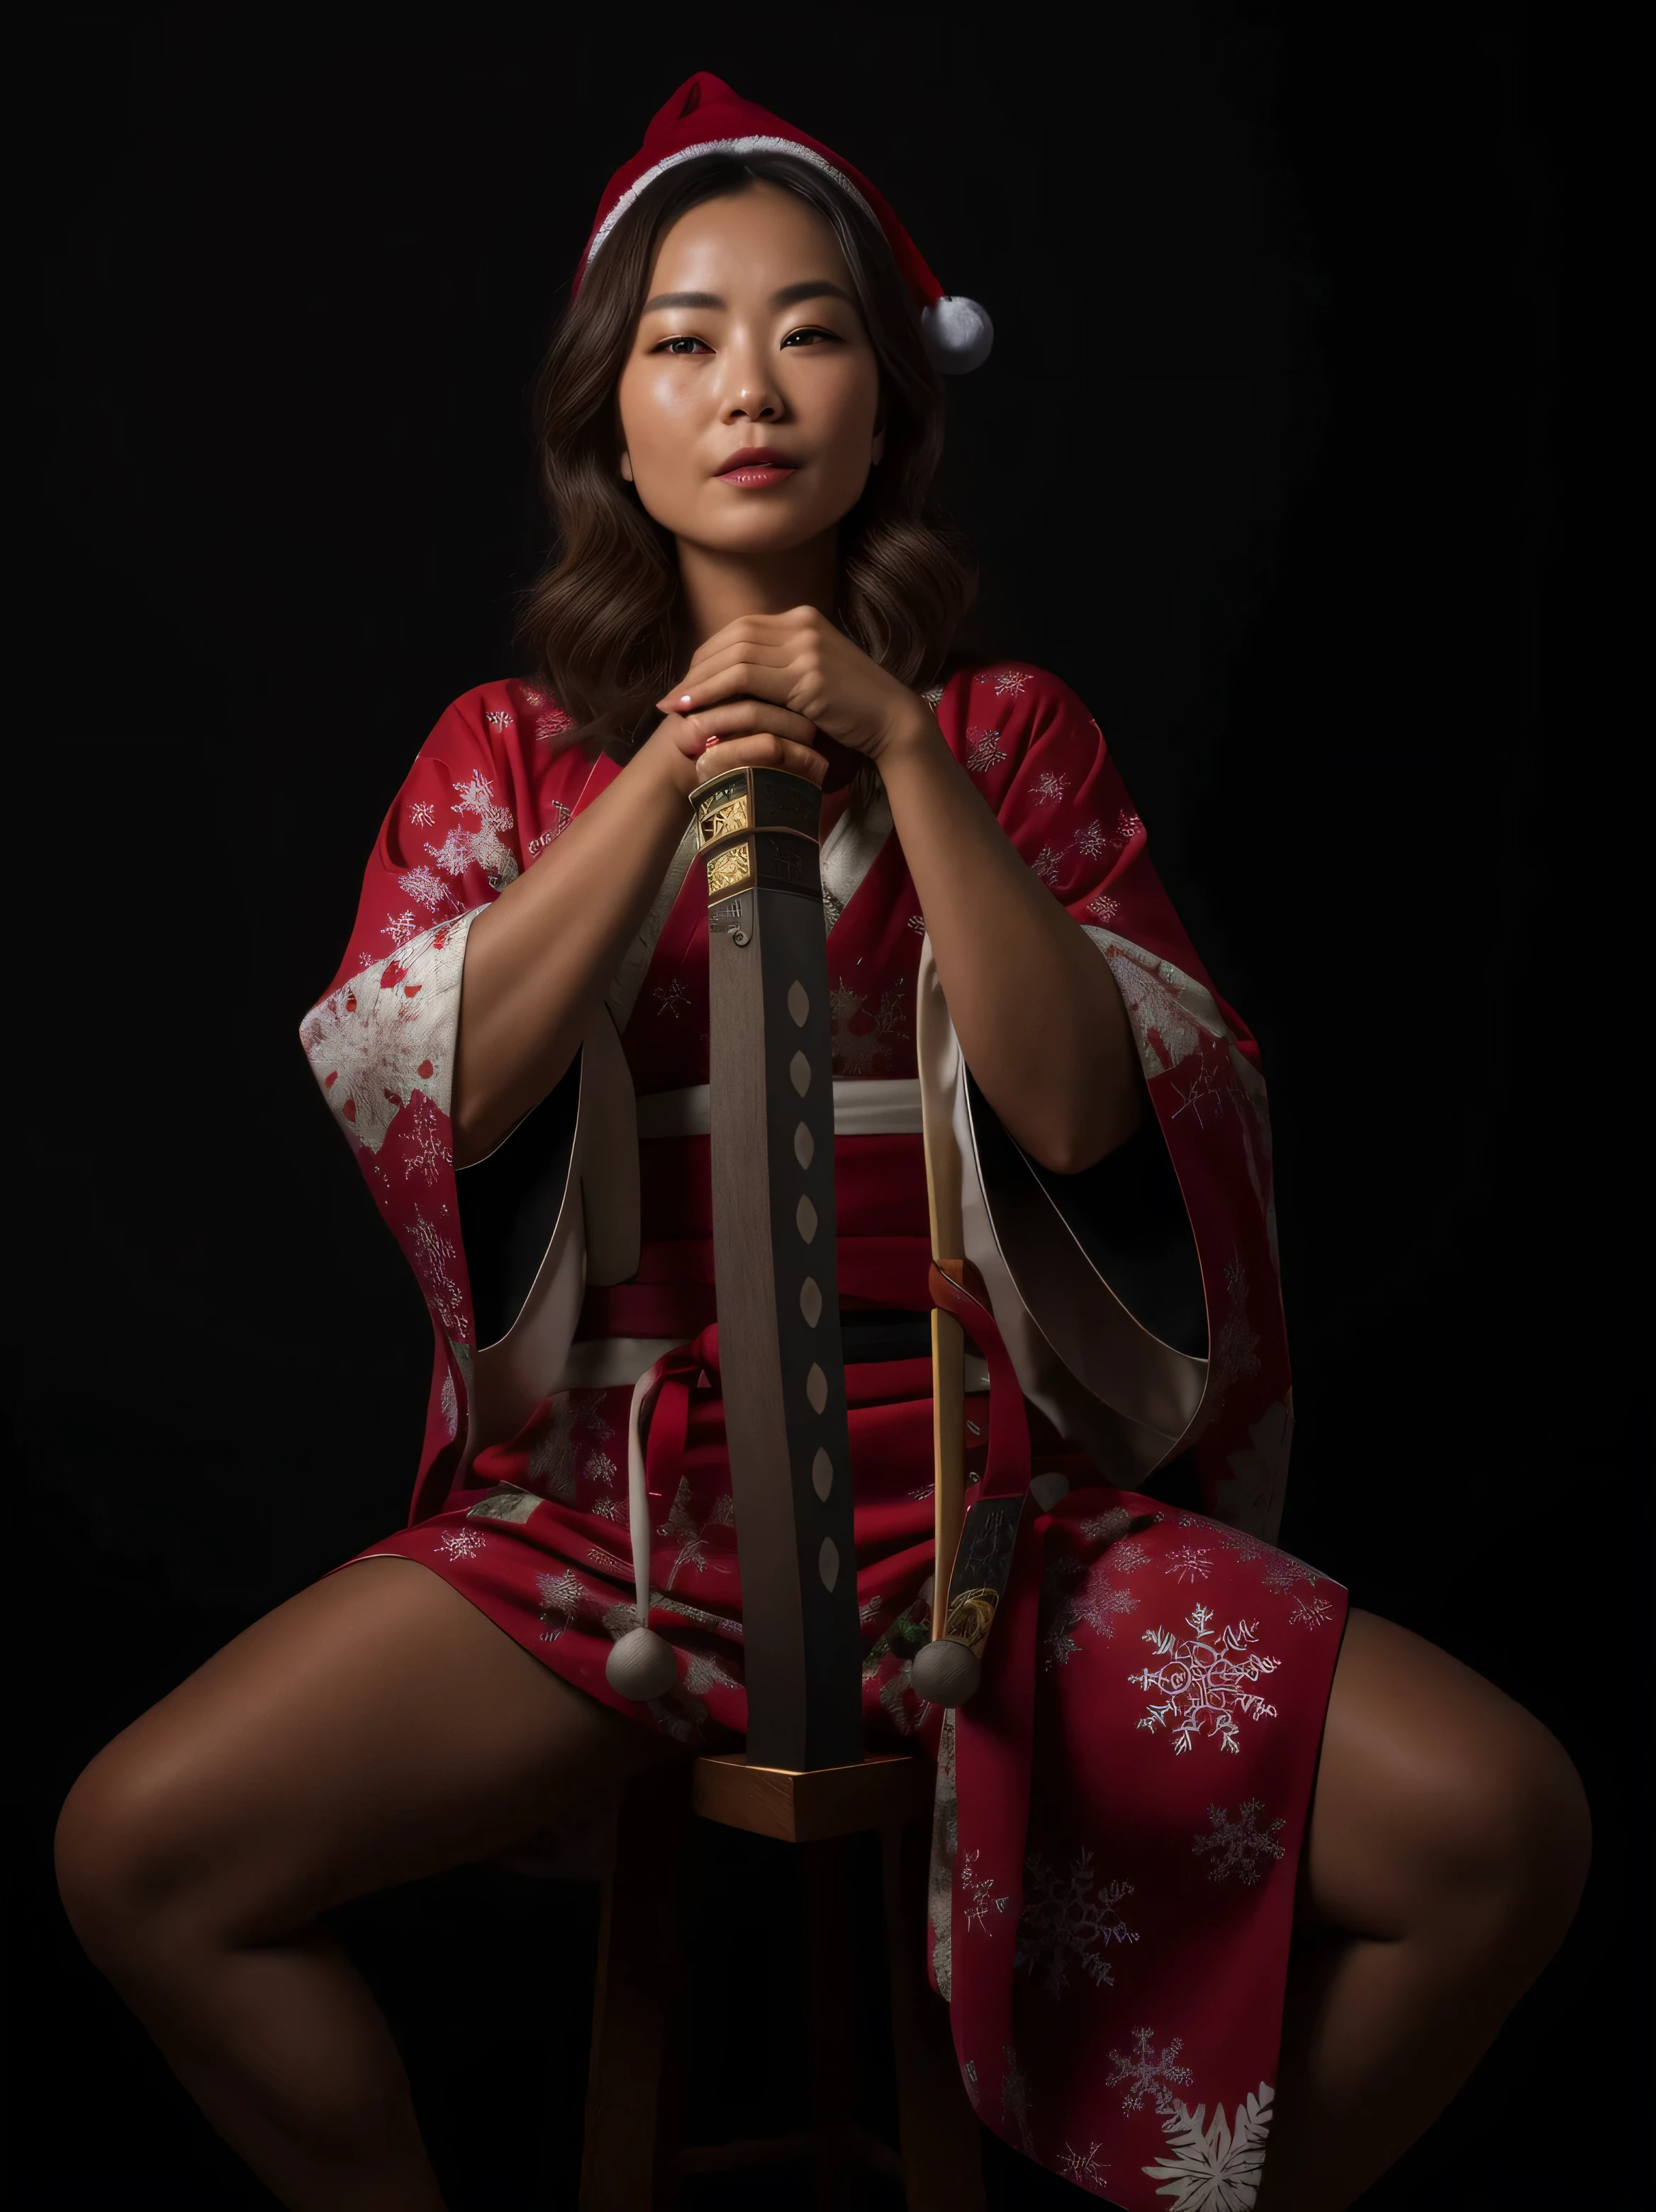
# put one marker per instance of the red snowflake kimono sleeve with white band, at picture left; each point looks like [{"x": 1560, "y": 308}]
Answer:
[{"x": 381, "y": 1039}]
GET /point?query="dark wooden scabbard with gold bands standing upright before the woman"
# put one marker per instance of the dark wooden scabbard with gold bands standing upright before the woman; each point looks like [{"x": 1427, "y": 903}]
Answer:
[{"x": 775, "y": 1262}]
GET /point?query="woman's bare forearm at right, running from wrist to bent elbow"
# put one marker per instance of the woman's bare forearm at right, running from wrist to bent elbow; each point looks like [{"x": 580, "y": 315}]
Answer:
[{"x": 1034, "y": 1005}]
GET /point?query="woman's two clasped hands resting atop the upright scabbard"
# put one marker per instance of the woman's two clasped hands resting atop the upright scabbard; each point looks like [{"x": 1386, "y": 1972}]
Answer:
[{"x": 766, "y": 689}]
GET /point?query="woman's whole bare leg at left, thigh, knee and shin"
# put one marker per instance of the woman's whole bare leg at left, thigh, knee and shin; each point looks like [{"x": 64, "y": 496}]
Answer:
[{"x": 368, "y": 1733}]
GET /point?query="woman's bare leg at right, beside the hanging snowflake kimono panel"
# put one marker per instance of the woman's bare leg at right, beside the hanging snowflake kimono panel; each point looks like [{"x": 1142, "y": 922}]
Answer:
[{"x": 1445, "y": 1861}]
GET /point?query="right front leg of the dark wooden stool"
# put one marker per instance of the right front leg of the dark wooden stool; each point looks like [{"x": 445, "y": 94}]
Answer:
[{"x": 941, "y": 2158}]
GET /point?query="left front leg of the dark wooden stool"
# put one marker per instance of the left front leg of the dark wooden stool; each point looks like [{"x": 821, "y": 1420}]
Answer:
[{"x": 631, "y": 2149}]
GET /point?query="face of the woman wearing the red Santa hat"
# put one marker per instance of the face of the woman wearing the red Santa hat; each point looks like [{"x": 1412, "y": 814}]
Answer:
[{"x": 751, "y": 397}]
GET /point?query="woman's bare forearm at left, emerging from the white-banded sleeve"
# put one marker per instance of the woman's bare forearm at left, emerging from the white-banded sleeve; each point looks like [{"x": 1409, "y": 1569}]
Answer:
[{"x": 543, "y": 957}]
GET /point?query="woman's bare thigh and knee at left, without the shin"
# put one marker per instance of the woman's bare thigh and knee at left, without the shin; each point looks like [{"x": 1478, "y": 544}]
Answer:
[{"x": 368, "y": 1733}]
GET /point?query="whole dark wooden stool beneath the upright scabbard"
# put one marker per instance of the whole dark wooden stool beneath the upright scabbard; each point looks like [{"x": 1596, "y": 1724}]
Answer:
[{"x": 633, "y": 2158}]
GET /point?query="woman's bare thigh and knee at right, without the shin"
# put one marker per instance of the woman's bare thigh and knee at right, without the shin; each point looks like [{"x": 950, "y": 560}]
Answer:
[{"x": 1436, "y": 1793}]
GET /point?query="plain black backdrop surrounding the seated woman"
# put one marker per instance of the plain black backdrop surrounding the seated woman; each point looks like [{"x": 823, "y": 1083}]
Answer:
[{"x": 1283, "y": 461}]
